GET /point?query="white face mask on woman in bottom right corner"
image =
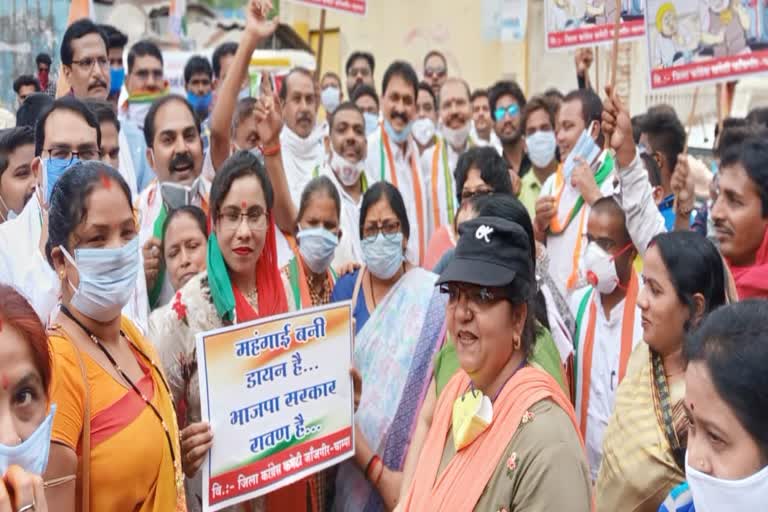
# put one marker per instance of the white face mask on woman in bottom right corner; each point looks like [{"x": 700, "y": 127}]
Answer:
[{"x": 712, "y": 494}]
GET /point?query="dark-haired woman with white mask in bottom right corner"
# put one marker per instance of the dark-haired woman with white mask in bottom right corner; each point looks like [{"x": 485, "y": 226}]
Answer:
[{"x": 726, "y": 401}]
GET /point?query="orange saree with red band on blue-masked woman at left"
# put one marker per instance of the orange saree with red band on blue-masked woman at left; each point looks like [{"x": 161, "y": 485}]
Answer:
[{"x": 123, "y": 428}]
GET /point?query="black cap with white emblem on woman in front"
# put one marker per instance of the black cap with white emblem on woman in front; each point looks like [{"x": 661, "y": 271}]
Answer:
[{"x": 491, "y": 251}]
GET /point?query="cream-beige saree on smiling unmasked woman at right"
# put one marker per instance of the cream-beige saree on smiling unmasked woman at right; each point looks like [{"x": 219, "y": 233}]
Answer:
[{"x": 639, "y": 466}]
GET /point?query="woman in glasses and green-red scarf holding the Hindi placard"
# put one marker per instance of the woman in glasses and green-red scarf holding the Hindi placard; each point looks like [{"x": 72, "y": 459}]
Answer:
[{"x": 242, "y": 283}]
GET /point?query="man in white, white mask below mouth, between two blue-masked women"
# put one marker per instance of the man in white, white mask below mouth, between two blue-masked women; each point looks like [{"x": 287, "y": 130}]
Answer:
[{"x": 345, "y": 167}]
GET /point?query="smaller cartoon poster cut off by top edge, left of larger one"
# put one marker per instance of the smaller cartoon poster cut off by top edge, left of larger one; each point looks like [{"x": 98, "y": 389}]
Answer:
[{"x": 573, "y": 24}]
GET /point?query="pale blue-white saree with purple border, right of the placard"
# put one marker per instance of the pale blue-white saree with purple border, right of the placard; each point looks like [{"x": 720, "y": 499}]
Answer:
[{"x": 394, "y": 358}]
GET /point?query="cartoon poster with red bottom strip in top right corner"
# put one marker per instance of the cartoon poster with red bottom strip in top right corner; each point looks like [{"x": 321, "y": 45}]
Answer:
[{"x": 698, "y": 41}]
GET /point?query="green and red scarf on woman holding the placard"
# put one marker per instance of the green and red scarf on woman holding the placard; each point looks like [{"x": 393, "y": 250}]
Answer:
[{"x": 230, "y": 303}]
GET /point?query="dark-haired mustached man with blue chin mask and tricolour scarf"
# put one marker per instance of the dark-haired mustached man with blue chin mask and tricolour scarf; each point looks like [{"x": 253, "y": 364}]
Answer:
[{"x": 393, "y": 156}]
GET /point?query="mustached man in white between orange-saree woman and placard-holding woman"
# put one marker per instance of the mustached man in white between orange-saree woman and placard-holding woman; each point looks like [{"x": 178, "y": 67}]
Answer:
[{"x": 175, "y": 151}]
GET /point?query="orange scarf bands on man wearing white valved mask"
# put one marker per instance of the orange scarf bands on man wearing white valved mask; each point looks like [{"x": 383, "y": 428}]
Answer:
[{"x": 627, "y": 333}]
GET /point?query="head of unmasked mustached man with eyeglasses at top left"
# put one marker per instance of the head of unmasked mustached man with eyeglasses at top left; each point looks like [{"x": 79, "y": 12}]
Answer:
[{"x": 84, "y": 60}]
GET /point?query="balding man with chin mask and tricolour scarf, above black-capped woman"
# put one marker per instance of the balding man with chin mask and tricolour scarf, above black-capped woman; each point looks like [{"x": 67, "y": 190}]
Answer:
[{"x": 438, "y": 163}]
